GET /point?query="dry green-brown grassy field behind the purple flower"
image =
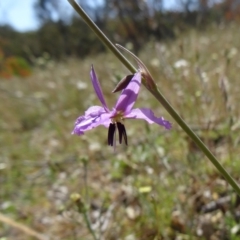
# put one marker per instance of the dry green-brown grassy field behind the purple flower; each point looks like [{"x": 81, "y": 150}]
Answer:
[{"x": 158, "y": 186}]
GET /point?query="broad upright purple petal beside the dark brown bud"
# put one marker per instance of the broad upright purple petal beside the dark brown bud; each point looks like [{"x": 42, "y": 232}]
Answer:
[{"x": 129, "y": 95}]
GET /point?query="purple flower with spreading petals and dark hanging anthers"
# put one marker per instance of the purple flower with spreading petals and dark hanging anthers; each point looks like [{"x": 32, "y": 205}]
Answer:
[{"x": 112, "y": 119}]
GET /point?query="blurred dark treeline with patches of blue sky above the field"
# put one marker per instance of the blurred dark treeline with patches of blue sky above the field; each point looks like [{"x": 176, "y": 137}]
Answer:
[{"x": 31, "y": 28}]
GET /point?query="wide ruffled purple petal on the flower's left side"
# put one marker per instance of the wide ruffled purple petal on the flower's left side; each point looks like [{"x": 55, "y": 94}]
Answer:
[{"x": 91, "y": 120}]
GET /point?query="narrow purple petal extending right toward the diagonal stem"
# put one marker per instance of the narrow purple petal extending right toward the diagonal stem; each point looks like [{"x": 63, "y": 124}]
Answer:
[{"x": 148, "y": 115}]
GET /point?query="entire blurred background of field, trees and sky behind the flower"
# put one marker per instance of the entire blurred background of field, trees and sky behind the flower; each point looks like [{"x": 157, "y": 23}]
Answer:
[{"x": 54, "y": 185}]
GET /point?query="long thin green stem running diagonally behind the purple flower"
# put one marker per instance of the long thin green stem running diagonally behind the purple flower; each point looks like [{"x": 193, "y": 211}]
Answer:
[{"x": 159, "y": 96}]
